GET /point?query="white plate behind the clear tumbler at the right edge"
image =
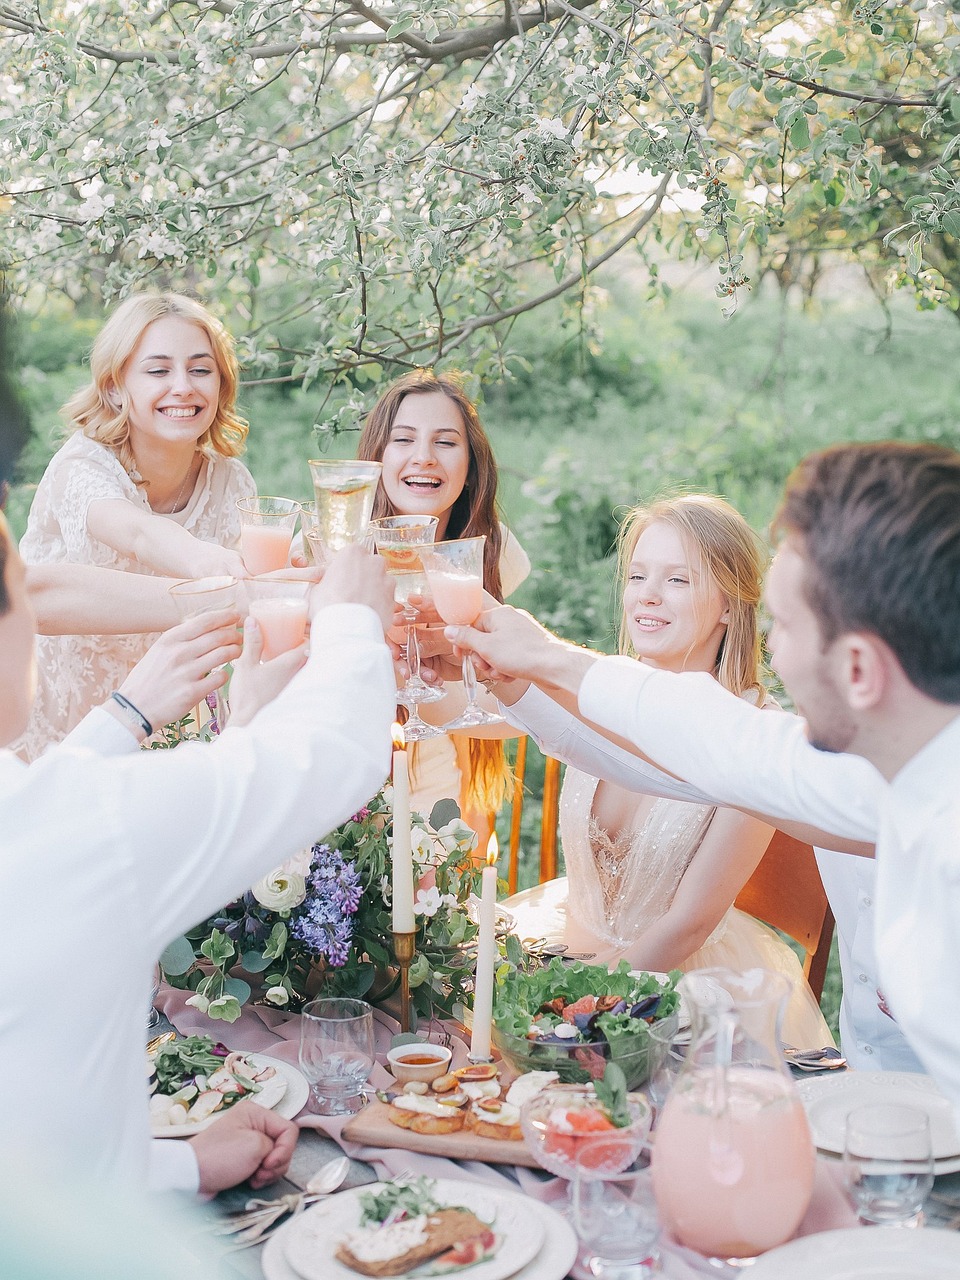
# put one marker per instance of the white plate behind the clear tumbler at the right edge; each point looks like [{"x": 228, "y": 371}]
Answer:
[{"x": 830, "y": 1099}]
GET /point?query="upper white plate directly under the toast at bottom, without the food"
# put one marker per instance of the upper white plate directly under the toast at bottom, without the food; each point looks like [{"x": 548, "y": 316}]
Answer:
[{"x": 312, "y": 1240}]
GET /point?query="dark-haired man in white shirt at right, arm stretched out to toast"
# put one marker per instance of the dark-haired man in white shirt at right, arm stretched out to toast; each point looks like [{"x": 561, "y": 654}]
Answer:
[{"x": 866, "y": 602}]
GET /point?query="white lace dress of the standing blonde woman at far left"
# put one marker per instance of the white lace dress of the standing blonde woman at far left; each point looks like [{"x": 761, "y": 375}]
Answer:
[{"x": 79, "y": 673}]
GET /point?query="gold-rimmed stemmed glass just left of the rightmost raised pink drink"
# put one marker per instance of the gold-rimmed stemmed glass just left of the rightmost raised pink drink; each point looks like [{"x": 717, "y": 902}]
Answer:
[{"x": 399, "y": 541}]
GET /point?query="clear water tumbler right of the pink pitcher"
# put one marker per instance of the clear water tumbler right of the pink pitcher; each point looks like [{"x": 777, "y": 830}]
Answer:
[{"x": 889, "y": 1164}]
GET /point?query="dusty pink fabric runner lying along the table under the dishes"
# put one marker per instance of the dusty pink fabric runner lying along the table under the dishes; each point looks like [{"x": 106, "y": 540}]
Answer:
[{"x": 262, "y": 1030}]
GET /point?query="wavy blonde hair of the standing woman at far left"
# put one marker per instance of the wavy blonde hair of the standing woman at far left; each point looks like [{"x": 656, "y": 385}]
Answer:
[{"x": 92, "y": 412}]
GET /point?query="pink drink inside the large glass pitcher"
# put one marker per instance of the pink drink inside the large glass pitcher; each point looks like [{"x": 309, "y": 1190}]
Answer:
[{"x": 733, "y": 1181}]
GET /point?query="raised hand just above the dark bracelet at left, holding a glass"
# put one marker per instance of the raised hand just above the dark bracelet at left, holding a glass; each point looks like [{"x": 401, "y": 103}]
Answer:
[{"x": 182, "y": 668}]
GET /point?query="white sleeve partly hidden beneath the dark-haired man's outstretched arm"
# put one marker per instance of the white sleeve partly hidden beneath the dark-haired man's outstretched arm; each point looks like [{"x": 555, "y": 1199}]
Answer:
[{"x": 560, "y": 734}]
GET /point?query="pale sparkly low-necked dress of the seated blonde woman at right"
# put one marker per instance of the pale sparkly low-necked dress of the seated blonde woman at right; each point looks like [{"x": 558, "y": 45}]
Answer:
[{"x": 615, "y": 890}]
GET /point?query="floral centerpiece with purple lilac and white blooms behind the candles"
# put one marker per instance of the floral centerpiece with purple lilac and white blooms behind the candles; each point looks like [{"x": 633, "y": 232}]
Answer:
[{"x": 322, "y": 924}]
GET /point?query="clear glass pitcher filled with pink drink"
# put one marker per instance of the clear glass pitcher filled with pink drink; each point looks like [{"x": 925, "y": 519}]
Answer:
[{"x": 734, "y": 1159}]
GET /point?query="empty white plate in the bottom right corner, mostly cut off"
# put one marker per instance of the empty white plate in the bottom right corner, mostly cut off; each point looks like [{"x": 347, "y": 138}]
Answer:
[{"x": 865, "y": 1254}]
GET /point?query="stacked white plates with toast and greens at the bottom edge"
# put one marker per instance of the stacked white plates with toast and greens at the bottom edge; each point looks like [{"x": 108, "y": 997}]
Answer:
[{"x": 417, "y": 1228}]
